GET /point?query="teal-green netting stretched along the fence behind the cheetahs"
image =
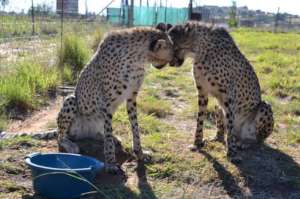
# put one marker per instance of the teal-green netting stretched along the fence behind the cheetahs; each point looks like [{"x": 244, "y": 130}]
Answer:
[{"x": 147, "y": 16}]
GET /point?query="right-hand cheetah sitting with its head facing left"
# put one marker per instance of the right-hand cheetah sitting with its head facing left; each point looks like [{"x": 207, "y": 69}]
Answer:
[{"x": 222, "y": 71}]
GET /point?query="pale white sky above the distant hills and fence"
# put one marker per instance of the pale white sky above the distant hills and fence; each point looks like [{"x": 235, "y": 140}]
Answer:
[{"x": 289, "y": 6}]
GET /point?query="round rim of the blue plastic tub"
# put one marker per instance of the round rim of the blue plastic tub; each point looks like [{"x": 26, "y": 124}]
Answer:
[{"x": 98, "y": 164}]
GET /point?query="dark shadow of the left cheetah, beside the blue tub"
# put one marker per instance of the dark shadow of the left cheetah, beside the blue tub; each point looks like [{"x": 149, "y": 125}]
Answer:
[{"x": 114, "y": 186}]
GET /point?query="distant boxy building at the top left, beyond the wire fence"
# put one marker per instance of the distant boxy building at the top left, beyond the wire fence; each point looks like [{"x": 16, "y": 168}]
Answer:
[{"x": 70, "y": 7}]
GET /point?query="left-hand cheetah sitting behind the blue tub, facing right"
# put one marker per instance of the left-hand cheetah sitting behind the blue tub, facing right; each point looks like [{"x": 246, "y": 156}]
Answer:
[{"x": 113, "y": 75}]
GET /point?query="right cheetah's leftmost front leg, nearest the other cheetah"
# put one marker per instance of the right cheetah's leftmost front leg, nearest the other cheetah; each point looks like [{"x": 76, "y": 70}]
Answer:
[{"x": 202, "y": 102}]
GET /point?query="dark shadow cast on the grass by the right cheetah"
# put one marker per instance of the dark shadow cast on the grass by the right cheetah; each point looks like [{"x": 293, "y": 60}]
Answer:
[{"x": 266, "y": 173}]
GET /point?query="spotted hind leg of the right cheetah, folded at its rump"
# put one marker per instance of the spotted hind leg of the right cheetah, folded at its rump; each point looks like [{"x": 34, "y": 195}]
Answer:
[{"x": 264, "y": 122}]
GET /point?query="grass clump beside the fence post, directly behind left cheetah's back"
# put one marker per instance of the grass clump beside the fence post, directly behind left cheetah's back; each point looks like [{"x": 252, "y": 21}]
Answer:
[{"x": 74, "y": 53}]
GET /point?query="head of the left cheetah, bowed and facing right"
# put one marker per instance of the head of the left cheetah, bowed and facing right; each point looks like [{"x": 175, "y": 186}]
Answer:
[{"x": 161, "y": 49}]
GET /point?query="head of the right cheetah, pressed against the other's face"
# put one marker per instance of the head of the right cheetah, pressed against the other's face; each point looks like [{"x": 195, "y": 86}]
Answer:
[{"x": 182, "y": 37}]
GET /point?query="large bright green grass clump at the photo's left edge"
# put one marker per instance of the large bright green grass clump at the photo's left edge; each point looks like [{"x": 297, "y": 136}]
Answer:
[{"x": 28, "y": 79}]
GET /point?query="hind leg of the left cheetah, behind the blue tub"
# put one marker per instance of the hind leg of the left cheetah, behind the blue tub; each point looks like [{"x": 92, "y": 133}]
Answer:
[{"x": 65, "y": 118}]
